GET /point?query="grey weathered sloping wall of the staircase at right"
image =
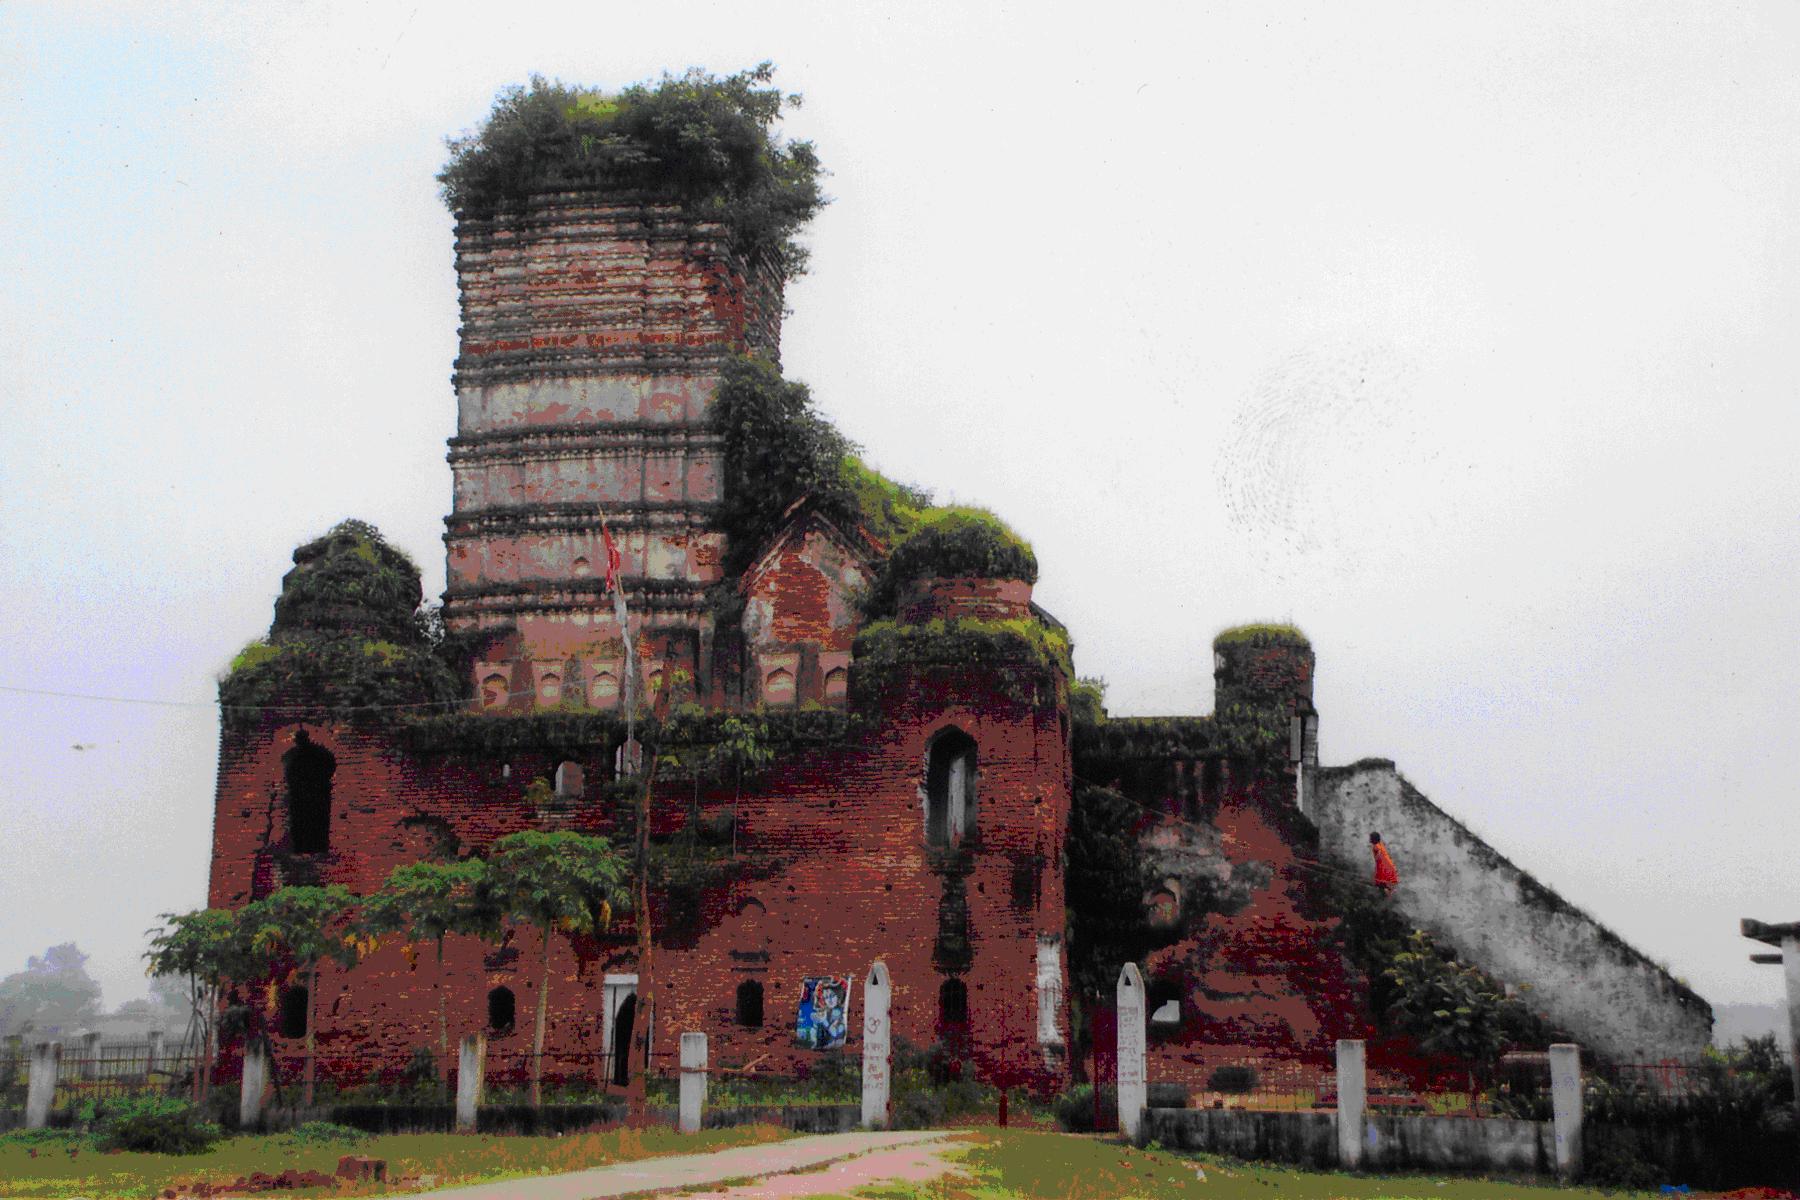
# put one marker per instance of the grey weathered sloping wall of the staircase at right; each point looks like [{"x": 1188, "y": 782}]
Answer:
[{"x": 1581, "y": 974}]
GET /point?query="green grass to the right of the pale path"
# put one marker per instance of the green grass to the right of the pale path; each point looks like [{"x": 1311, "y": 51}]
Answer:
[{"x": 1018, "y": 1165}]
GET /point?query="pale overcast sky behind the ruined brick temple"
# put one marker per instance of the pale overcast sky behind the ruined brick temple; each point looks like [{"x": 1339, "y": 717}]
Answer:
[{"x": 1464, "y": 337}]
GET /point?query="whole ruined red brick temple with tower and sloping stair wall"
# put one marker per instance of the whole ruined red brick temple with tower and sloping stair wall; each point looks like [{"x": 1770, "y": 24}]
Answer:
[{"x": 917, "y": 814}]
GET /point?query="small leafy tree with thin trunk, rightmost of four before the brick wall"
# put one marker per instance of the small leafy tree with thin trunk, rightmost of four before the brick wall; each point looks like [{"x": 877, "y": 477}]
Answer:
[{"x": 555, "y": 881}]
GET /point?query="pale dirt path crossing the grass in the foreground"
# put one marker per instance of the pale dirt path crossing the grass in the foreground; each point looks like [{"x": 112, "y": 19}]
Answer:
[{"x": 872, "y": 1158}]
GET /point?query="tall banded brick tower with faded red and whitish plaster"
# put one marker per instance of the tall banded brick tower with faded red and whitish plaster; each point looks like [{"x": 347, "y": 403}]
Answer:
[{"x": 595, "y": 327}]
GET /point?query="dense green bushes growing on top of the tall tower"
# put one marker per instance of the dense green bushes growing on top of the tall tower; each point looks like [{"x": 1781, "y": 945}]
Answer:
[{"x": 696, "y": 138}]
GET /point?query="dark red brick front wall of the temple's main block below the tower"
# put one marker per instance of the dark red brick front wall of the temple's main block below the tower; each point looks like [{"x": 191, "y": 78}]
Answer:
[{"x": 836, "y": 875}]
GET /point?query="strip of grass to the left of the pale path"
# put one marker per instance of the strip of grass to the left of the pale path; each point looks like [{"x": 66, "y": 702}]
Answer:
[{"x": 69, "y": 1167}]
